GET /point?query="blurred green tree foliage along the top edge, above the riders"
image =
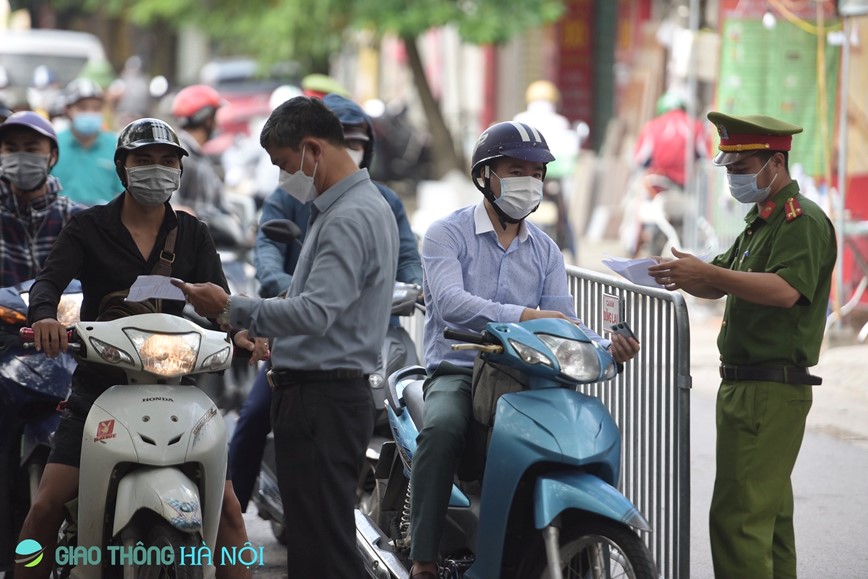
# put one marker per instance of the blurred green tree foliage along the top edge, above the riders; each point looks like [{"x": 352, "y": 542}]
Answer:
[{"x": 310, "y": 30}]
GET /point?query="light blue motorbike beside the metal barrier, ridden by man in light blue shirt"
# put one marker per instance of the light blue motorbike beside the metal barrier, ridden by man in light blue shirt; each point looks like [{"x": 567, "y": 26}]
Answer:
[{"x": 547, "y": 505}]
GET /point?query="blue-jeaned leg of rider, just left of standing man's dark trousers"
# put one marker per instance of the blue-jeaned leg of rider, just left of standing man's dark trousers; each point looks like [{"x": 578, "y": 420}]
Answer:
[{"x": 248, "y": 441}]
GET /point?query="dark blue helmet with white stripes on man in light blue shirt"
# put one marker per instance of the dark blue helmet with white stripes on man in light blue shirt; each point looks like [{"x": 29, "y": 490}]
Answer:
[{"x": 508, "y": 139}]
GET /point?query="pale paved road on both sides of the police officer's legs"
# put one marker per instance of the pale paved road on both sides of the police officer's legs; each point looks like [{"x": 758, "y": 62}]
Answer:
[{"x": 829, "y": 481}]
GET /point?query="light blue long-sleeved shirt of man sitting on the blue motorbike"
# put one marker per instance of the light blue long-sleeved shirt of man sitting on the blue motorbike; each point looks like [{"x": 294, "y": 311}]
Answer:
[{"x": 470, "y": 279}]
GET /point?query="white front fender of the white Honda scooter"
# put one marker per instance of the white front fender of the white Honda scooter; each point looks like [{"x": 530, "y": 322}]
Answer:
[{"x": 165, "y": 491}]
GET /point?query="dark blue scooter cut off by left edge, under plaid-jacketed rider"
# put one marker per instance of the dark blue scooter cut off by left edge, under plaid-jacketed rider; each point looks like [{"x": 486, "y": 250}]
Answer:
[{"x": 31, "y": 386}]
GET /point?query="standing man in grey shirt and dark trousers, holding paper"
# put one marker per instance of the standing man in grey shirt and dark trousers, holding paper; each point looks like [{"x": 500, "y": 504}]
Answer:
[{"x": 327, "y": 333}]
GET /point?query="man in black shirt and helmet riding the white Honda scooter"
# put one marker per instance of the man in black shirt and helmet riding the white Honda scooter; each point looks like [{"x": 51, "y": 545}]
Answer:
[{"x": 107, "y": 247}]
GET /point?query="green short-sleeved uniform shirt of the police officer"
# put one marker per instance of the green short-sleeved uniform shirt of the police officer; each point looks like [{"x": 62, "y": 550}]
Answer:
[{"x": 793, "y": 238}]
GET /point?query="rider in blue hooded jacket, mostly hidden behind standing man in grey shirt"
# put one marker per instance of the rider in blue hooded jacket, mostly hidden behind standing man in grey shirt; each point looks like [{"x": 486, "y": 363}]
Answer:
[{"x": 275, "y": 263}]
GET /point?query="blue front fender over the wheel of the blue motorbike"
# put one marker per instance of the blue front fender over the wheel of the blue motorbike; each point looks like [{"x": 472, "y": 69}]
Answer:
[{"x": 557, "y": 492}]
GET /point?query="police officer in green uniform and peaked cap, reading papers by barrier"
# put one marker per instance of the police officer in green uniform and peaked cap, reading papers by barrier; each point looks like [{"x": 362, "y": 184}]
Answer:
[{"x": 776, "y": 278}]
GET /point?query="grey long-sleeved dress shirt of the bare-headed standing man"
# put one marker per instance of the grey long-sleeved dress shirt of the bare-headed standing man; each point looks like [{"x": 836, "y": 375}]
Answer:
[{"x": 337, "y": 309}]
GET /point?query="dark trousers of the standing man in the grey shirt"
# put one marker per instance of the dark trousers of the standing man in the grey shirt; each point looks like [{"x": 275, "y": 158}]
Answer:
[{"x": 321, "y": 431}]
